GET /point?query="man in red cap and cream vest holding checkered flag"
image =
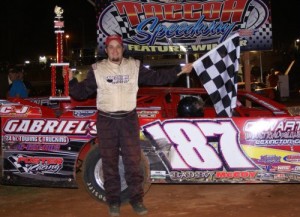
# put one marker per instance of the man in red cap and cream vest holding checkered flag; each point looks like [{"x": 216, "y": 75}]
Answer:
[{"x": 116, "y": 82}]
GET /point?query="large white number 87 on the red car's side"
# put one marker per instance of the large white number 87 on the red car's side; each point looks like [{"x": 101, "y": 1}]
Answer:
[{"x": 190, "y": 147}]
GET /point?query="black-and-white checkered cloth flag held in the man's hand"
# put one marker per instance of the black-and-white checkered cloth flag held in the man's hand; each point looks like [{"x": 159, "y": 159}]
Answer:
[{"x": 217, "y": 71}]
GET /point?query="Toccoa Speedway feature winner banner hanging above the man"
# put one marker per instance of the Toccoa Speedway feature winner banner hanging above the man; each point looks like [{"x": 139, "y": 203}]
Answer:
[{"x": 171, "y": 27}]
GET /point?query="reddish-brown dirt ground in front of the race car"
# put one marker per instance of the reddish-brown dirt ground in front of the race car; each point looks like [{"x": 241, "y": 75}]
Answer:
[{"x": 162, "y": 200}]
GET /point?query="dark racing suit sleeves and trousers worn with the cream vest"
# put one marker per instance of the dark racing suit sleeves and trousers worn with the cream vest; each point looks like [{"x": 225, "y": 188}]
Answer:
[{"x": 118, "y": 134}]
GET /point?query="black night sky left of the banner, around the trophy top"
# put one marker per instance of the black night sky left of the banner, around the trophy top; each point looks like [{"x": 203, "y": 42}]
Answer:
[{"x": 27, "y": 27}]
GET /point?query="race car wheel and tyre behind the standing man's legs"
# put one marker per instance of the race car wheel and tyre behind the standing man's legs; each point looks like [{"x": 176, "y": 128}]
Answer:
[{"x": 93, "y": 176}]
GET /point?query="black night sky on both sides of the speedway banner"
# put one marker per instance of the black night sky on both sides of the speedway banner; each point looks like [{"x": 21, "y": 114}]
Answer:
[{"x": 27, "y": 25}]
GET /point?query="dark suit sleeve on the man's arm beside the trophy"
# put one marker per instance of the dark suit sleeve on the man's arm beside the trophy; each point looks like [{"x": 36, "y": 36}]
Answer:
[{"x": 82, "y": 90}]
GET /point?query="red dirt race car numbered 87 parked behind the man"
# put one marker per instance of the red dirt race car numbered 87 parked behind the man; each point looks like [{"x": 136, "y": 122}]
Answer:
[{"x": 48, "y": 143}]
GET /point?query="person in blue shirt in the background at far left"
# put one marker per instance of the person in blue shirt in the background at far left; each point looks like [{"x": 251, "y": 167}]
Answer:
[{"x": 17, "y": 88}]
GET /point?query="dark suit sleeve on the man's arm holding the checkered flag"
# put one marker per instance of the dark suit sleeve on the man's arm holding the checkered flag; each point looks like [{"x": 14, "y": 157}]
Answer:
[{"x": 158, "y": 77}]
